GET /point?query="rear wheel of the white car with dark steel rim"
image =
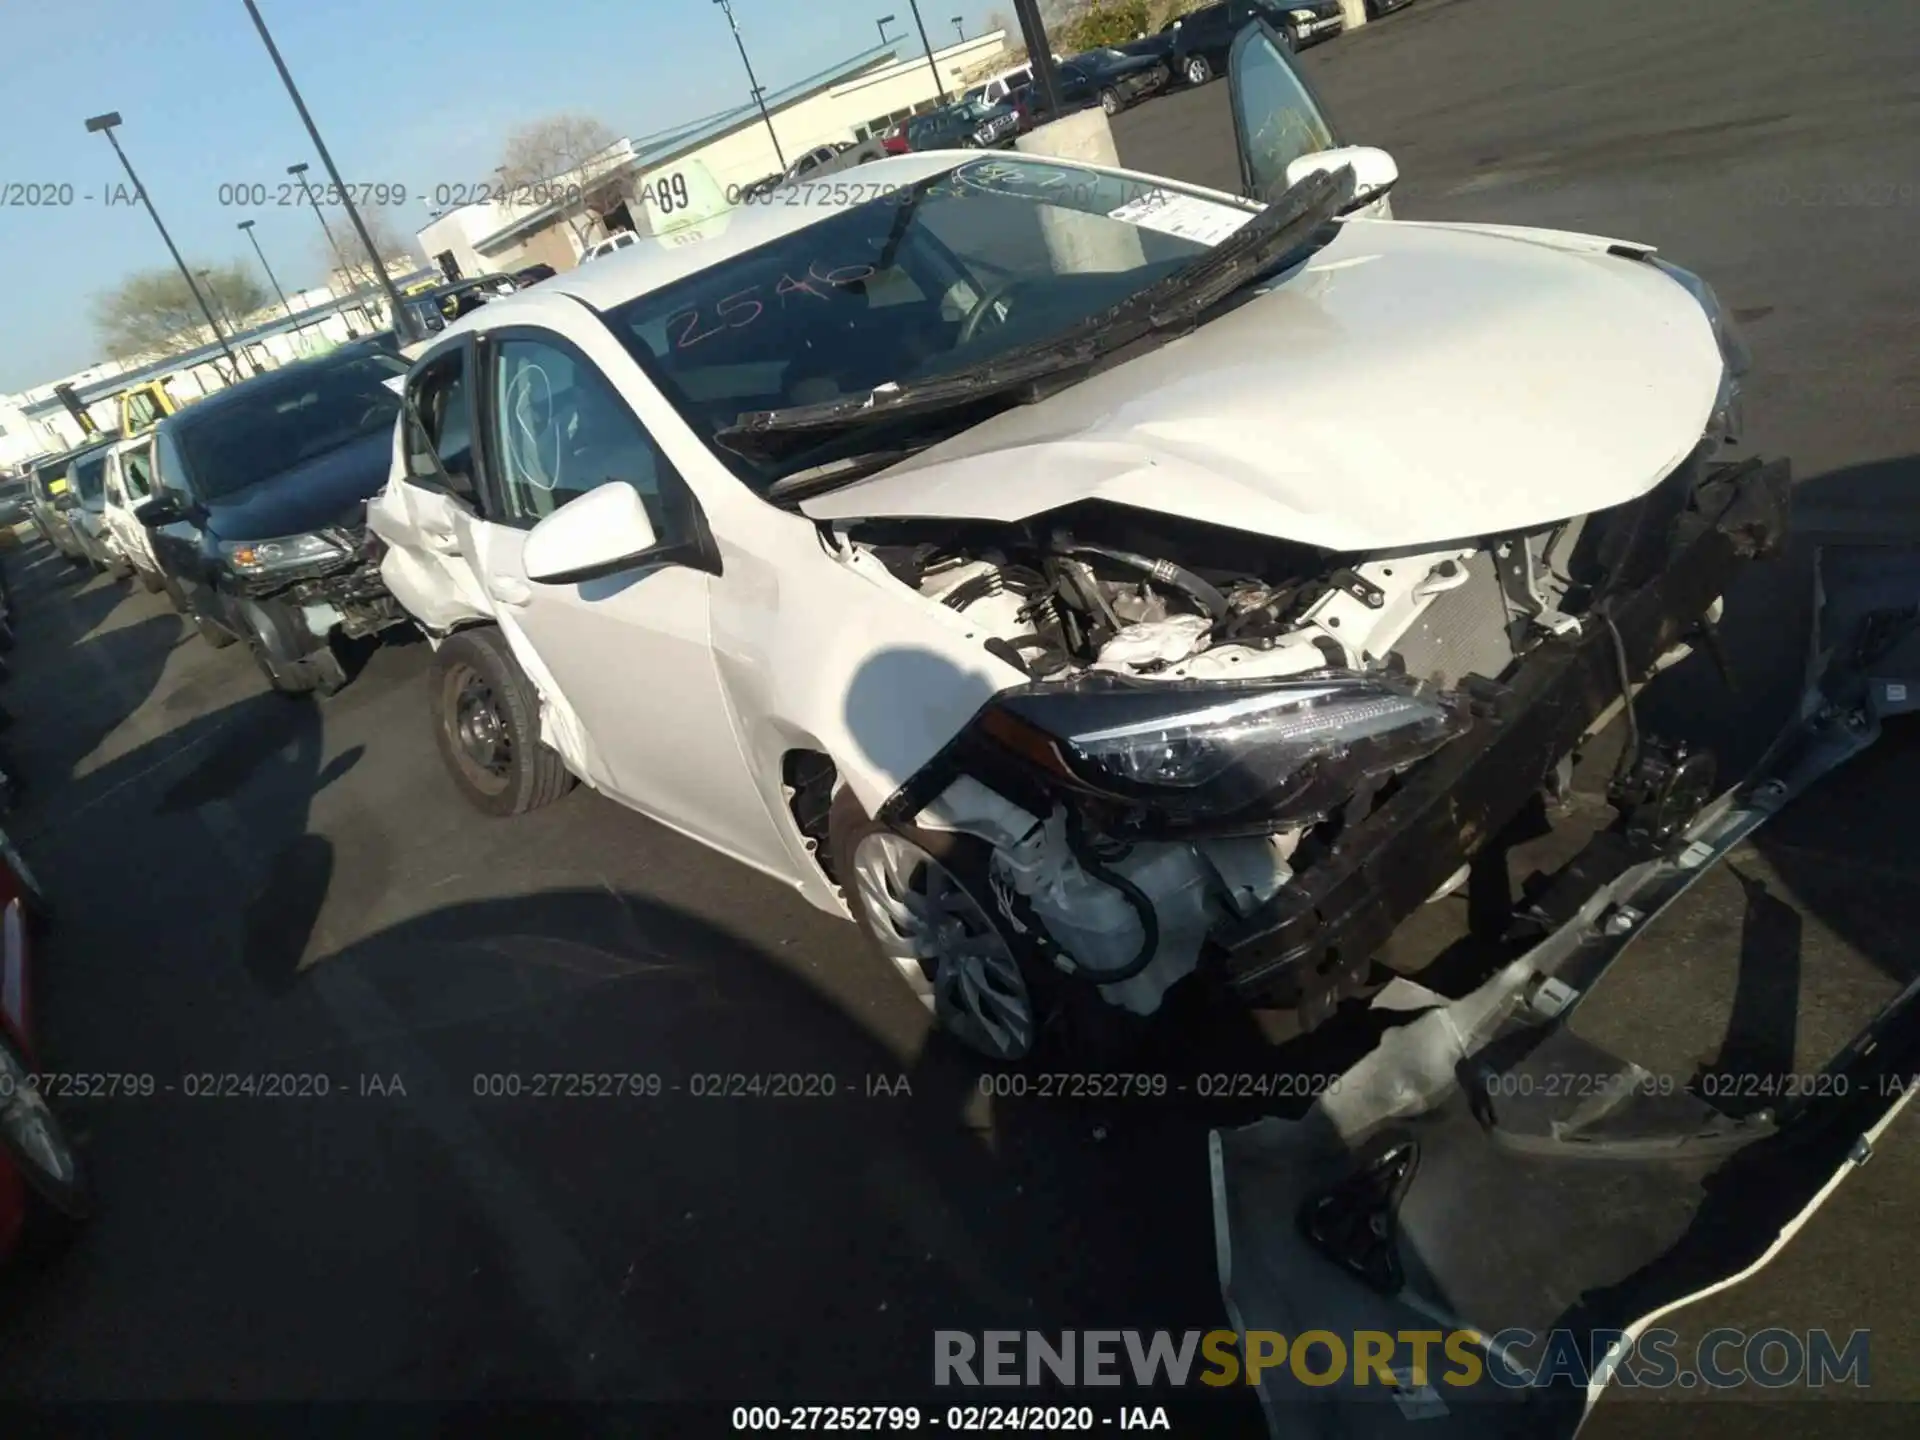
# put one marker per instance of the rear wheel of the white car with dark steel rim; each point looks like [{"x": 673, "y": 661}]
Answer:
[{"x": 487, "y": 725}]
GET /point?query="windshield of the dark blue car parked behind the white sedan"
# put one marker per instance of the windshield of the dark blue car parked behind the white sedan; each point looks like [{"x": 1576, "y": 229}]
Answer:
[{"x": 283, "y": 420}]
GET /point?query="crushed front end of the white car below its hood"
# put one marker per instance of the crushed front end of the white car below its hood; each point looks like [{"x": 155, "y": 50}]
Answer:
[{"x": 1259, "y": 757}]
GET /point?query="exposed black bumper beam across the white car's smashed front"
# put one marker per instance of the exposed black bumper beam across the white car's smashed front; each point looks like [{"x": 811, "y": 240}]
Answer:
[{"x": 1671, "y": 565}]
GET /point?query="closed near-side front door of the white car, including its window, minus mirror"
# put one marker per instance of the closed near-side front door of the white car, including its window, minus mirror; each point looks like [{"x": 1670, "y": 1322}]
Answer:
[{"x": 631, "y": 654}]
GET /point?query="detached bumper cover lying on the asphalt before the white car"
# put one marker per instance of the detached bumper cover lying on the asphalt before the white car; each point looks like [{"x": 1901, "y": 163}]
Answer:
[{"x": 1491, "y": 1176}]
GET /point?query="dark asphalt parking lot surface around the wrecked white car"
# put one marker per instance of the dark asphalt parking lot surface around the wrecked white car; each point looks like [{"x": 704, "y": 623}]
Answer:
[{"x": 256, "y": 888}]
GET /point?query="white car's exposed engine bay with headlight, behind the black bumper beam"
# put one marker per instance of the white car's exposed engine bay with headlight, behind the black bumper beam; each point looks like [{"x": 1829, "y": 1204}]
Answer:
[{"x": 1247, "y": 702}]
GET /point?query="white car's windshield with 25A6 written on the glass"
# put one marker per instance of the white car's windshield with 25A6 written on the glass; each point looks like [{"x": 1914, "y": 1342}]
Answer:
[{"x": 982, "y": 260}]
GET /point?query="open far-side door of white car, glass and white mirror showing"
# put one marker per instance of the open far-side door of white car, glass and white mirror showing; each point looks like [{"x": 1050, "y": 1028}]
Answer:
[{"x": 1282, "y": 128}]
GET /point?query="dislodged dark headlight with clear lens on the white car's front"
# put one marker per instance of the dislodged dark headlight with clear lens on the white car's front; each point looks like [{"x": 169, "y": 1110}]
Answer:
[{"x": 1289, "y": 750}]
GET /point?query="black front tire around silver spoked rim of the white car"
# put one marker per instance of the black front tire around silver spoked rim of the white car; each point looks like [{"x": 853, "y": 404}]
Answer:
[{"x": 1070, "y": 1020}]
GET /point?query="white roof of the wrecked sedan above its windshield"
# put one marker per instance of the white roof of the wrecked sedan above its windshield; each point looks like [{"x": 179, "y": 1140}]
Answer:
[{"x": 658, "y": 262}]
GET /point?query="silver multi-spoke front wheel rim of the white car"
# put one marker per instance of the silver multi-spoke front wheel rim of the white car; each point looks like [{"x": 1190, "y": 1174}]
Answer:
[{"x": 946, "y": 946}]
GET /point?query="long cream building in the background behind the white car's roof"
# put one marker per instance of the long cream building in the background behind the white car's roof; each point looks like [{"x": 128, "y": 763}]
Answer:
[{"x": 863, "y": 97}]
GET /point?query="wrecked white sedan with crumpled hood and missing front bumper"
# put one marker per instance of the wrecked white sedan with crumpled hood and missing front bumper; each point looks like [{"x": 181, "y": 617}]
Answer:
[{"x": 1080, "y": 579}]
